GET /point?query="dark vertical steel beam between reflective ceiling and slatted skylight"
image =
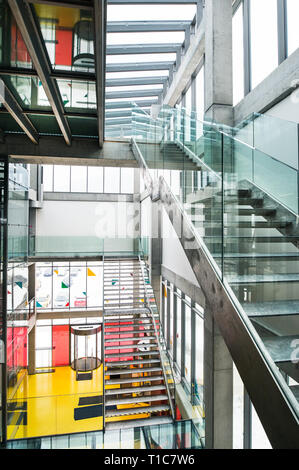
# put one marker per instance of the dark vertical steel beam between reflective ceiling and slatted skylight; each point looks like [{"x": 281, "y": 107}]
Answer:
[{"x": 100, "y": 15}]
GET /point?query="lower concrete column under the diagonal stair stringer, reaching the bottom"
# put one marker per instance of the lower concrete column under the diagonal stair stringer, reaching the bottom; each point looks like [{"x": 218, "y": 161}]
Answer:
[{"x": 218, "y": 387}]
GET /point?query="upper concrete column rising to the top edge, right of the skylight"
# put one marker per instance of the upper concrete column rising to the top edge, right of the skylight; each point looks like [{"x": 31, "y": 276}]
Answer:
[{"x": 218, "y": 61}]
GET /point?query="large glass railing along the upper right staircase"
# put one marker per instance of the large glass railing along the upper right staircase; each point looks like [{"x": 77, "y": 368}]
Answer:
[{"x": 242, "y": 203}]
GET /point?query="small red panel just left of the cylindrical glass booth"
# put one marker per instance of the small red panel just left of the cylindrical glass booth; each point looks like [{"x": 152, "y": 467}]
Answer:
[{"x": 60, "y": 344}]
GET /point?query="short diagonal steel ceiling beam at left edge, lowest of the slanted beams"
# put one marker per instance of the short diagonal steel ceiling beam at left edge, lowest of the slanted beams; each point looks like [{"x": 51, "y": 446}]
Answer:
[{"x": 13, "y": 107}]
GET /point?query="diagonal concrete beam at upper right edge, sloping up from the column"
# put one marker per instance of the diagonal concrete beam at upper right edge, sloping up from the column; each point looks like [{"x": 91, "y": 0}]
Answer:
[{"x": 277, "y": 86}]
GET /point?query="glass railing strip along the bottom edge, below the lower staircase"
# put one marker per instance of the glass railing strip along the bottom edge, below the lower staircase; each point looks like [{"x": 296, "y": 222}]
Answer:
[{"x": 177, "y": 435}]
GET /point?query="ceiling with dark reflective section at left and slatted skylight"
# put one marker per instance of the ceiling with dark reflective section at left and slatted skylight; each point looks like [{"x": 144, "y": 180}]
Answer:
[{"x": 75, "y": 68}]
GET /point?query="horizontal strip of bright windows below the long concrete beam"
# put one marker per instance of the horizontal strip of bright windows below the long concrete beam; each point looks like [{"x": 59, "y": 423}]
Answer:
[{"x": 92, "y": 179}]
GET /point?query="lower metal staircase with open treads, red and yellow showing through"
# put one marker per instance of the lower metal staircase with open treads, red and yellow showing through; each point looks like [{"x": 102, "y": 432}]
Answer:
[{"x": 136, "y": 388}]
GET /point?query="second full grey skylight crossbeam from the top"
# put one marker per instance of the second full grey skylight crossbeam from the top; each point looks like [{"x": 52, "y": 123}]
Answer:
[{"x": 142, "y": 49}]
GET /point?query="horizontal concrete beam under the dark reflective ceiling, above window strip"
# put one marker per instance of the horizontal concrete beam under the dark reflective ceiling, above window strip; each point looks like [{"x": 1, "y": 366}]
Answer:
[{"x": 81, "y": 152}]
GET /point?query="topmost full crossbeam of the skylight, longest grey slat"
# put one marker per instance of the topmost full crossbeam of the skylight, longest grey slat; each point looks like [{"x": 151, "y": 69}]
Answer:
[{"x": 146, "y": 26}]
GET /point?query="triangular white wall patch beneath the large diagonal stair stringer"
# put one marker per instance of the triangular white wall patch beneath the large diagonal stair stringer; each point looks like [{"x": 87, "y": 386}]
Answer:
[{"x": 173, "y": 255}]
